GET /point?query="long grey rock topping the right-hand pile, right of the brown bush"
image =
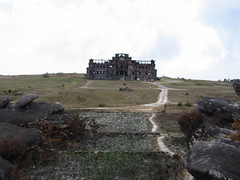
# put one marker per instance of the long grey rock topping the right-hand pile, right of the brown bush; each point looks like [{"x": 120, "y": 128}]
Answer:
[{"x": 212, "y": 106}]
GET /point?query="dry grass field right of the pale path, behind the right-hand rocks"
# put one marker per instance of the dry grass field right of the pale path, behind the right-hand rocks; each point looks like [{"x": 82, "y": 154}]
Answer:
[{"x": 191, "y": 90}]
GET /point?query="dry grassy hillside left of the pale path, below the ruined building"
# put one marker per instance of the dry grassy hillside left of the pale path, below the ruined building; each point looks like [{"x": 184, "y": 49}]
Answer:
[{"x": 66, "y": 89}]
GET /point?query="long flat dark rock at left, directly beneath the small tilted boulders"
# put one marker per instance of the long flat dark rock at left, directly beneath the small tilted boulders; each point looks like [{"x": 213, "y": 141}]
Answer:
[{"x": 29, "y": 113}]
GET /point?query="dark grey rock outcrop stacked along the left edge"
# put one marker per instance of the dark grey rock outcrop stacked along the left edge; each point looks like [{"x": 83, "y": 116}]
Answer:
[{"x": 13, "y": 119}]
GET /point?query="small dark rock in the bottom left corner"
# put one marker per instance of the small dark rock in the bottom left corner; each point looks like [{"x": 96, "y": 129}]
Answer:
[{"x": 5, "y": 169}]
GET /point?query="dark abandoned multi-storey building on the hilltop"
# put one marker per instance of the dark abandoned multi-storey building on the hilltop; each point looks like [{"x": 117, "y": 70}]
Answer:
[{"x": 121, "y": 66}]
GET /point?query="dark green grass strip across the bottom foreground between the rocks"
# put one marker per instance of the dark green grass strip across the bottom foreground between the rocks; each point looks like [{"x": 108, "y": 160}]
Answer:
[{"x": 113, "y": 165}]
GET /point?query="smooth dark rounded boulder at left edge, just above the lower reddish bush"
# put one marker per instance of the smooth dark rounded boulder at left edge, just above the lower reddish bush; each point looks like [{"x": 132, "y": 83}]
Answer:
[{"x": 25, "y": 136}]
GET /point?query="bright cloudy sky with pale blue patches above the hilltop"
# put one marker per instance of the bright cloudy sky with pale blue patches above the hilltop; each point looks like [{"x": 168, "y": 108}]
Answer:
[{"x": 193, "y": 39}]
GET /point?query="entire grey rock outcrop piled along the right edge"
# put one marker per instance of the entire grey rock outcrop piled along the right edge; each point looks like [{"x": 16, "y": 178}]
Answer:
[{"x": 213, "y": 154}]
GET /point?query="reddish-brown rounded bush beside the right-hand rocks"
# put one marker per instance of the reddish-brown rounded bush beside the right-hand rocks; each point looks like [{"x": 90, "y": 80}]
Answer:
[{"x": 190, "y": 122}]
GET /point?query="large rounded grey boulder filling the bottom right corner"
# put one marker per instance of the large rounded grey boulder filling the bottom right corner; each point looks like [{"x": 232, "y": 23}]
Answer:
[{"x": 214, "y": 160}]
